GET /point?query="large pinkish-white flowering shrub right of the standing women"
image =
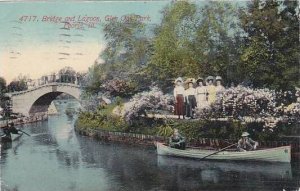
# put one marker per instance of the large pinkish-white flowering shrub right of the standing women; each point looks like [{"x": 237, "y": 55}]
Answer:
[{"x": 248, "y": 104}]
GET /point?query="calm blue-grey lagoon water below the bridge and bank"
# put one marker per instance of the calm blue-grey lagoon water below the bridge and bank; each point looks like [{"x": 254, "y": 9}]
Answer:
[{"x": 55, "y": 158}]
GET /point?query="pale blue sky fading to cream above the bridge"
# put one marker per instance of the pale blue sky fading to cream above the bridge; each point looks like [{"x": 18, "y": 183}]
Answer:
[{"x": 37, "y": 38}]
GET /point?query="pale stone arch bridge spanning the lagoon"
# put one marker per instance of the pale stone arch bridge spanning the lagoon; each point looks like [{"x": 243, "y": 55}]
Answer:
[{"x": 38, "y": 99}]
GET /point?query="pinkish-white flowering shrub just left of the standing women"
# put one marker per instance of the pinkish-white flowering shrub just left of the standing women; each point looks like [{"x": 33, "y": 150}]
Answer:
[{"x": 146, "y": 101}]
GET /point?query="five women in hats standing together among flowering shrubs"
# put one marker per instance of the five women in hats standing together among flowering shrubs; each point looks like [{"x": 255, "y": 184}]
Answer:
[{"x": 197, "y": 94}]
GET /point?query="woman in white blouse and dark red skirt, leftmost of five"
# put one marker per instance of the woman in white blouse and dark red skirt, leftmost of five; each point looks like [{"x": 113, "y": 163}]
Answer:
[{"x": 179, "y": 98}]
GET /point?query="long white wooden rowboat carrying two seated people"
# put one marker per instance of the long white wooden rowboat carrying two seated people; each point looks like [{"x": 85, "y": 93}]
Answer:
[{"x": 278, "y": 154}]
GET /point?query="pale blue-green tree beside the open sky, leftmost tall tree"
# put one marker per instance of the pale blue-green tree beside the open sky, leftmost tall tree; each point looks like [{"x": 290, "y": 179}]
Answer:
[{"x": 126, "y": 54}]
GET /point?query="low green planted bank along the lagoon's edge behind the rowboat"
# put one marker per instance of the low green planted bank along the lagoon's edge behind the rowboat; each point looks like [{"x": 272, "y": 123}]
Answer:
[{"x": 104, "y": 119}]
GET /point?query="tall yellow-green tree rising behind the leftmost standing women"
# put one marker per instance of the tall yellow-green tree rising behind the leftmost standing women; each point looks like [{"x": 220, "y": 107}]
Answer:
[{"x": 173, "y": 55}]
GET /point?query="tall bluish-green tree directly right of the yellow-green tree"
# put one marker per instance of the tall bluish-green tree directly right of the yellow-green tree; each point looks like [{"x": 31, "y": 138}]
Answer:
[{"x": 217, "y": 41}]
